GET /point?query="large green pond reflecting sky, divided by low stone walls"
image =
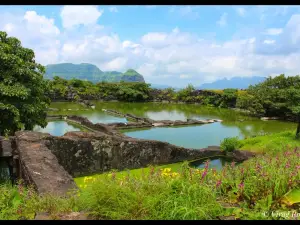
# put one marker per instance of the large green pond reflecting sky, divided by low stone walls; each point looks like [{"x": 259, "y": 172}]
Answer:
[{"x": 234, "y": 123}]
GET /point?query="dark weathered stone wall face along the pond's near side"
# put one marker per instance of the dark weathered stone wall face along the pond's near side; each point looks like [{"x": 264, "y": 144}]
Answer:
[{"x": 83, "y": 153}]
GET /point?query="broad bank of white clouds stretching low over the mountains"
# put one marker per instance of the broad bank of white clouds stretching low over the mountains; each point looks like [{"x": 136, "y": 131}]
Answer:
[{"x": 173, "y": 57}]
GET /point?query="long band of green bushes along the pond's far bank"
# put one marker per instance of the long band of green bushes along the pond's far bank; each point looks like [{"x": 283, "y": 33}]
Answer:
[{"x": 74, "y": 89}]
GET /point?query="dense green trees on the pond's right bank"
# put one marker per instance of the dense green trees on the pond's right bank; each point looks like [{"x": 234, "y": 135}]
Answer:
[{"x": 278, "y": 96}]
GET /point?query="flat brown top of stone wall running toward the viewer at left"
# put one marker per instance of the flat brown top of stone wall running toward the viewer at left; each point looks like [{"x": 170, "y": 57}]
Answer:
[{"x": 39, "y": 166}]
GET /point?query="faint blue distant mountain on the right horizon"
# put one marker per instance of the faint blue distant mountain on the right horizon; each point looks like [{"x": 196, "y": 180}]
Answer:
[{"x": 235, "y": 82}]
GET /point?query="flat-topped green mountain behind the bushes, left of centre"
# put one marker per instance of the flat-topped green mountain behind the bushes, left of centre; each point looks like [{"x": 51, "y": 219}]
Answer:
[{"x": 90, "y": 72}]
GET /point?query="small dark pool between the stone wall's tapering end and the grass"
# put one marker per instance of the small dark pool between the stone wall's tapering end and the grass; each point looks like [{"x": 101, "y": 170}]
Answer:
[{"x": 214, "y": 162}]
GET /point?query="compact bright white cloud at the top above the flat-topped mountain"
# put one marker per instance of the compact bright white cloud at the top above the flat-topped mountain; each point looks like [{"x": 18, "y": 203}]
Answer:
[{"x": 79, "y": 15}]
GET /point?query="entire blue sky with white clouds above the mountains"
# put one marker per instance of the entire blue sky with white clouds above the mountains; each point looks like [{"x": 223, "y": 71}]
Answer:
[{"x": 171, "y": 45}]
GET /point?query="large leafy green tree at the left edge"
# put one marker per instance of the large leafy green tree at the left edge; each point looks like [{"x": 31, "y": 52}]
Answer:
[{"x": 22, "y": 88}]
